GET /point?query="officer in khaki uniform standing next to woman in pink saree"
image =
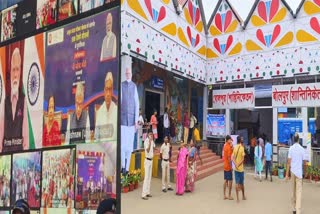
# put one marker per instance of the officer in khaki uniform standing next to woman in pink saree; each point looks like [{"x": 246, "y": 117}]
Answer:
[{"x": 165, "y": 164}]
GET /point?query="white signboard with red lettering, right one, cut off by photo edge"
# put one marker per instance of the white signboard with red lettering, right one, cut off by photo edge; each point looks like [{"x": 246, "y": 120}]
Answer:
[{"x": 302, "y": 95}]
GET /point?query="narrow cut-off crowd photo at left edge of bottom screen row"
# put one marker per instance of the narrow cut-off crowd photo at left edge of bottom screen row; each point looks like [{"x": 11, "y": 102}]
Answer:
[{"x": 5, "y": 175}]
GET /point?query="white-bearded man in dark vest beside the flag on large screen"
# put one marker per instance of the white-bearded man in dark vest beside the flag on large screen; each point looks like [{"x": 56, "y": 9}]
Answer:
[{"x": 15, "y": 132}]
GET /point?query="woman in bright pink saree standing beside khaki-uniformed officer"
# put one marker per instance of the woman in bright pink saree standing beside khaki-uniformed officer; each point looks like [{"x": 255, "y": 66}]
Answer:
[{"x": 181, "y": 171}]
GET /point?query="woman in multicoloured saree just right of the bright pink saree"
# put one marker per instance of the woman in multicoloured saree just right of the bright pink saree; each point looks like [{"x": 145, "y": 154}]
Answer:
[{"x": 192, "y": 168}]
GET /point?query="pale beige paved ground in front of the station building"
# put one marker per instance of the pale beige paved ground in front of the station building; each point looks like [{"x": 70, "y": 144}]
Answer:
[{"x": 263, "y": 198}]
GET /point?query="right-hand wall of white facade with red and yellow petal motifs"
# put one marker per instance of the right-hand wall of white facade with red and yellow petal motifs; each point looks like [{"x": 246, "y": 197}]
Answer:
[{"x": 273, "y": 43}]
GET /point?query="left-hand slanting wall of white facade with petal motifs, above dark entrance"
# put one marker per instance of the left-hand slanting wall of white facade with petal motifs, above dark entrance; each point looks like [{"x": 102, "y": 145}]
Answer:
[{"x": 153, "y": 30}]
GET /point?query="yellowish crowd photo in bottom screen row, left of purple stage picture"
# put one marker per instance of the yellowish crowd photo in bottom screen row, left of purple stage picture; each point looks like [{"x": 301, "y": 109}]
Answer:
[{"x": 58, "y": 179}]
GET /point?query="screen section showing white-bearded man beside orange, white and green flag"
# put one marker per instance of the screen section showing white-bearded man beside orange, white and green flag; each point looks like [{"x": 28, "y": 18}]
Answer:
[{"x": 21, "y": 94}]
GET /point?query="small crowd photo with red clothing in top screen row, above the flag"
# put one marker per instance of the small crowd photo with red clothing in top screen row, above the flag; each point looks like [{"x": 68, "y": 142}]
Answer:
[{"x": 46, "y": 13}]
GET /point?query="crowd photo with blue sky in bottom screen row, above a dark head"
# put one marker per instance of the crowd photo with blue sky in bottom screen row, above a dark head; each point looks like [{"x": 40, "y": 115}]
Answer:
[{"x": 26, "y": 178}]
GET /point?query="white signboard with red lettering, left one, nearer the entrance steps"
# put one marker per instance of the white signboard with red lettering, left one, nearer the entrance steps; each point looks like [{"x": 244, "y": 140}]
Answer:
[{"x": 233, "y": 98}]
